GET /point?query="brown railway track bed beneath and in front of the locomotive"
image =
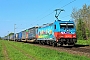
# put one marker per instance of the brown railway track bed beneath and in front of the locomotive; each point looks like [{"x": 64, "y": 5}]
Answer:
[{"x": 77, "y": 49}]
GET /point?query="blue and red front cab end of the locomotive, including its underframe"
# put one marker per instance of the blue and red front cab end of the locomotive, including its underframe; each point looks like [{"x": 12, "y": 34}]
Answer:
[{"x": 65, "y": 32}]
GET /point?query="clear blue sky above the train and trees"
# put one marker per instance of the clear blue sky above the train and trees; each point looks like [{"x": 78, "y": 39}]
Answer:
[{"x": 29, "y": 13}]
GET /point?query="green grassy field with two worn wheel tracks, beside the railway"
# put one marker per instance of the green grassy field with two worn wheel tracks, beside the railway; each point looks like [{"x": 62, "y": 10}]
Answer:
[{"x": 26, "y": 51}]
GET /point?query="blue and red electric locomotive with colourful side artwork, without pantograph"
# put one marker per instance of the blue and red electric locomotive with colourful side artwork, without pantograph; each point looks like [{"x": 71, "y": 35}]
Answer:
[{"x": 57, "y": 33}]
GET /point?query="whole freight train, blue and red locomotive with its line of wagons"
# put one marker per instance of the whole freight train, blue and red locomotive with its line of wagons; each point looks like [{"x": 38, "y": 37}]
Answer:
[{"x": 56, "y": 34}]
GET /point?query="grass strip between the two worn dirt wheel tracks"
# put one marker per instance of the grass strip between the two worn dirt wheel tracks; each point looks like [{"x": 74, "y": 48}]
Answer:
[{"x": 13, "y": 53}]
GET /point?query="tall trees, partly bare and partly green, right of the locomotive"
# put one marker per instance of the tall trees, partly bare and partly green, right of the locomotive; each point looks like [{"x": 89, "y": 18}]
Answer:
[{"x": 81, "y": 18}]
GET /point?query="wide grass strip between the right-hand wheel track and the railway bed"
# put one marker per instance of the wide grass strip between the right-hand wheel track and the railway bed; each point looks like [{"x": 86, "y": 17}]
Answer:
[{"x": 47, "y": 54}]
